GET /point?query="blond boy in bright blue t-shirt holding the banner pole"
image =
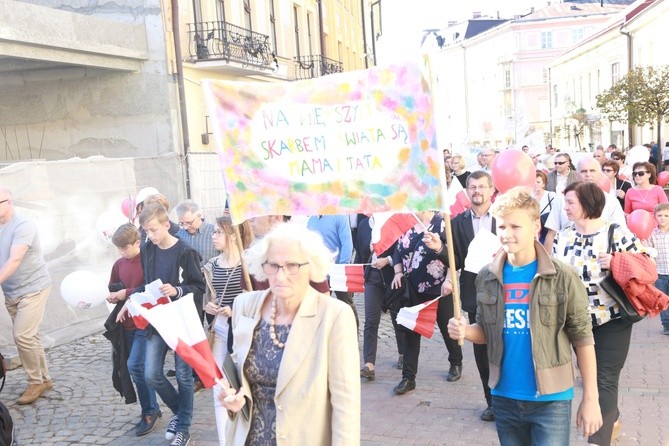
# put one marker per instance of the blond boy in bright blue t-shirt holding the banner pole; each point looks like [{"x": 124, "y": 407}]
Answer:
[{"x": 531, "y": 311}]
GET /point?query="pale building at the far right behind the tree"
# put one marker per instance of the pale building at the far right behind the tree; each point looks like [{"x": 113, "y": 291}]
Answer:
[{"x": 635, "y": 37}]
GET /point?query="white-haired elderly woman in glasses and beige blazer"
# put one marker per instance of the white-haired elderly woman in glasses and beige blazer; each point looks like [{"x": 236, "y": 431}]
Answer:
[{"x": 295, "y": 349}]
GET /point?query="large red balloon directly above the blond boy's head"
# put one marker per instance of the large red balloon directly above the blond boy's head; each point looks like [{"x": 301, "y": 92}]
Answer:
[{"x": 513, "y": 168}]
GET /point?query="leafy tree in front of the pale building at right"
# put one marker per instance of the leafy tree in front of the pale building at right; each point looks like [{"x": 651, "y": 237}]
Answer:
[{"x": 641, "y": 97}]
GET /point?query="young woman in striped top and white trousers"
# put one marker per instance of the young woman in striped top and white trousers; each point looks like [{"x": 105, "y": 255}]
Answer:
[{"x": 224, "y": 278}]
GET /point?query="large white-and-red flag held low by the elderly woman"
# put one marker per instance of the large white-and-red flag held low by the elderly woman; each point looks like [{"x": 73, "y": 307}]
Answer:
[{"x": 181, "y": 329}]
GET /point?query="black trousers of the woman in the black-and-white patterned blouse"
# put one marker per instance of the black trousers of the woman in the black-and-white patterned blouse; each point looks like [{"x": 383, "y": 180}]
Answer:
[{"x": 612, "y": 343}]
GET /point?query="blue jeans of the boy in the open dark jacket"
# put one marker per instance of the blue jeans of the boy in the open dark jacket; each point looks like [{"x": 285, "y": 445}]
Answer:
[{"x": 180, "y": 402}]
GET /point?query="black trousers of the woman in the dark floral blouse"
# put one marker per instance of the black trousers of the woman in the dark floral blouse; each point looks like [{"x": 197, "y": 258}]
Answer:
[{"x": 412, "y": 339}]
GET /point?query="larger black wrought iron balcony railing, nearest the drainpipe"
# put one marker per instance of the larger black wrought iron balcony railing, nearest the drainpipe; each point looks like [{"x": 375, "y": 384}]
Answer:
[{"x": 225, "y": 41}]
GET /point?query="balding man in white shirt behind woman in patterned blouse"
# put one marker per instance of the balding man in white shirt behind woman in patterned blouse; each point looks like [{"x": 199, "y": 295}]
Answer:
[{"x": 588, "y": 169}]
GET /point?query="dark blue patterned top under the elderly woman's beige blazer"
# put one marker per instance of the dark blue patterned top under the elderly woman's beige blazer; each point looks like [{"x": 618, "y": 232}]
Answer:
[{"x": 262, "y": 370}]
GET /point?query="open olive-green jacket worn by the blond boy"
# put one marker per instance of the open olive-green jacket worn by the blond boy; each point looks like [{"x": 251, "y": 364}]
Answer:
[{"x": 559, "y": 318}]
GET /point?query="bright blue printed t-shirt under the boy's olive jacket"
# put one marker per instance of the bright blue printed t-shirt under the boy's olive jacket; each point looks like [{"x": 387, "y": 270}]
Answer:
[{"x": 517, "y": 379}]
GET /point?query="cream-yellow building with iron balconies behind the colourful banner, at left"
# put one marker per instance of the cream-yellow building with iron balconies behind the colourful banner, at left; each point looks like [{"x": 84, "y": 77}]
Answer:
[{"x": 260, "y": 41}]
